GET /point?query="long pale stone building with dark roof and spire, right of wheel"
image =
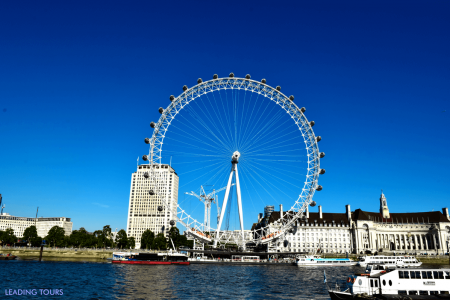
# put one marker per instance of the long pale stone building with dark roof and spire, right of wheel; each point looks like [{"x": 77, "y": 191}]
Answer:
[{"x": 361, "y": 231}]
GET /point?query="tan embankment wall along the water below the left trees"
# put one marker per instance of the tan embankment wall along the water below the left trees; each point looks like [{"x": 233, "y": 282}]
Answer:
[{"x": 60, "y": 253}]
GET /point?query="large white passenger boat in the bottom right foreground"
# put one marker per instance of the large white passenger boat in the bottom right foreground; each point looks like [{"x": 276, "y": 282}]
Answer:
[{"x": 398, "y": 283}]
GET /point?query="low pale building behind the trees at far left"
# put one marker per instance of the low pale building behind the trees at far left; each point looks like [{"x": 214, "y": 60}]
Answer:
[{"x": 43, "y": 225}]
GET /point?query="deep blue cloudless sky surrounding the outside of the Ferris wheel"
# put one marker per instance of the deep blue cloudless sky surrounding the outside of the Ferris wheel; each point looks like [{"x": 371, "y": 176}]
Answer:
[{"x": 80, "y": 82}]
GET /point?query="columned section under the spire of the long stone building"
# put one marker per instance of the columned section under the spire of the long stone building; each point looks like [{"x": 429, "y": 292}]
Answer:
[{"x": 421, "y": 232}]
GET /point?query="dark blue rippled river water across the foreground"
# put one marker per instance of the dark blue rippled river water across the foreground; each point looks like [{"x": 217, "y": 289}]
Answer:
[{"x": 100, "y": 280}]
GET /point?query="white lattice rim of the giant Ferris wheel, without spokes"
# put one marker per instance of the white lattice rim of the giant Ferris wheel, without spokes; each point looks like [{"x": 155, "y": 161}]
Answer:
[{"x": 273, "y": 94}]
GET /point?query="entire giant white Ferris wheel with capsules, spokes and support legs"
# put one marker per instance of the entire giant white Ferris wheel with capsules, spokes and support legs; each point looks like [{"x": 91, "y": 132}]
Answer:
[{"x": 246, "y": 138}]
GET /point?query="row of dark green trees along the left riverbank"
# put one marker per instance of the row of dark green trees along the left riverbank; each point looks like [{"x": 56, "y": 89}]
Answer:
[{"x": 81, "y": 238}]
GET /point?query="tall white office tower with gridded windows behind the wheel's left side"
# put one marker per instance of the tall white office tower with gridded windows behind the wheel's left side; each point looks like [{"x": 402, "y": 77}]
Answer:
[{"x": 143, "y": 210}]
